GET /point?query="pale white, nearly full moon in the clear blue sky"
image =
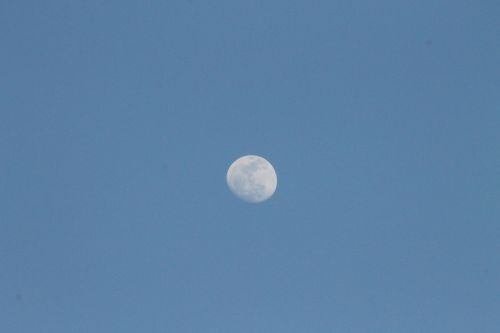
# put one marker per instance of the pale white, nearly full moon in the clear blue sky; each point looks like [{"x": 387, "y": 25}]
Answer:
[{"x": 252, "y": 178}]
